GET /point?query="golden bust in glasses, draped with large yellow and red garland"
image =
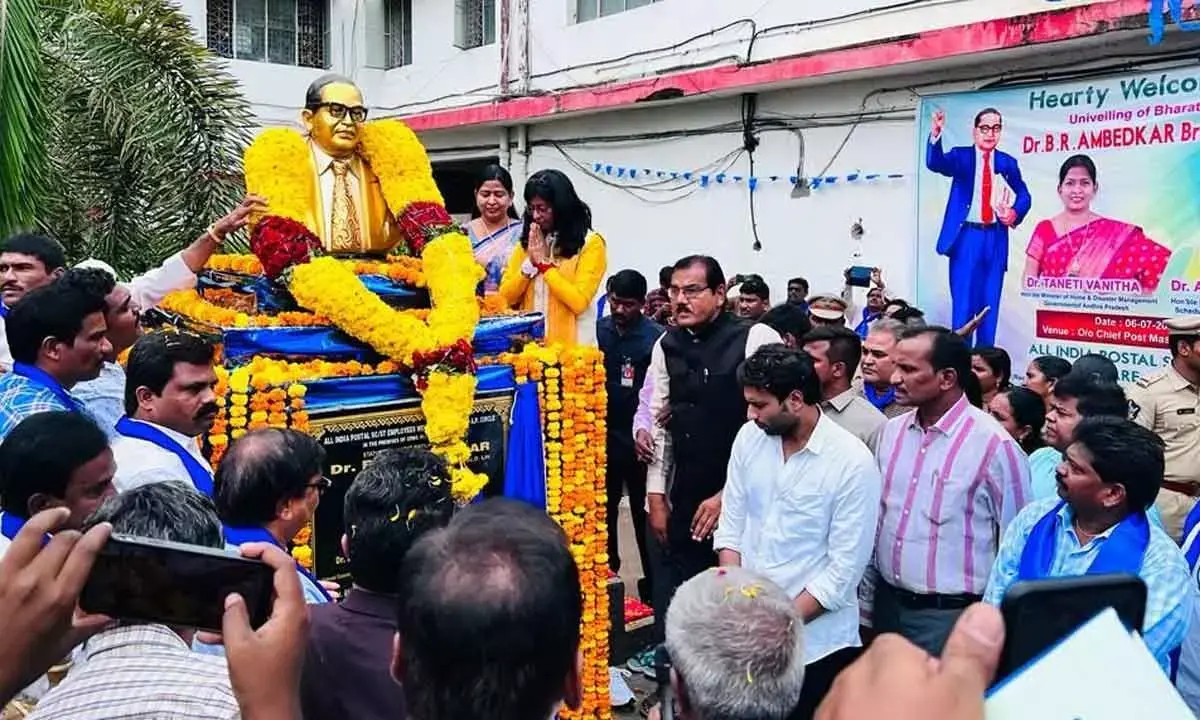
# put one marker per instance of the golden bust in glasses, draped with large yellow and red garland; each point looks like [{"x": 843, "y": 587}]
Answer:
[{"x": 350, "y": 188}]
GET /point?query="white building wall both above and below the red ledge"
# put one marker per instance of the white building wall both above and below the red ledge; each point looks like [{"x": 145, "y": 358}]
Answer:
[{"x": 807, "y": 237}]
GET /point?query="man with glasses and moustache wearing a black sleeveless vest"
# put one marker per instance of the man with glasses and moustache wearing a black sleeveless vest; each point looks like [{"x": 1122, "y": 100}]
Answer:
[{"x": 694, "y": 369}]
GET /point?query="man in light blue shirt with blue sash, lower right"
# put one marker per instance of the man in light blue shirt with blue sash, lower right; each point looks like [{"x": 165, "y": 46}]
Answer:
[{"x": 1111, "y": 476}]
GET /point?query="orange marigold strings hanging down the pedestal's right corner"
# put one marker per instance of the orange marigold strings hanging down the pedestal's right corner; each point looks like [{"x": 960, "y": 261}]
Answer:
[{"x": 573, "y": 404}]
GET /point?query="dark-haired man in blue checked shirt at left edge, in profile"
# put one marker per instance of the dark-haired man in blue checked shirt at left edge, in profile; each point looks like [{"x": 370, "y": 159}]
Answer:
[{"x": 58, "y": 338}]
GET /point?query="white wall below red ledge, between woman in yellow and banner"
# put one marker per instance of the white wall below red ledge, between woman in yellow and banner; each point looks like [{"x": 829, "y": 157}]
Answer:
[{"x": 801, "y": 237}]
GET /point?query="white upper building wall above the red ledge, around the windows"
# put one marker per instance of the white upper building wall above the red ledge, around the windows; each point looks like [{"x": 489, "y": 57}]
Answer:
[{"x": 446, "y": 76}]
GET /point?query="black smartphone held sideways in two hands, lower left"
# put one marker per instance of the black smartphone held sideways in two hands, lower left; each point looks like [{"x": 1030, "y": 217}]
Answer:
[{"x": 157, "y": 581}]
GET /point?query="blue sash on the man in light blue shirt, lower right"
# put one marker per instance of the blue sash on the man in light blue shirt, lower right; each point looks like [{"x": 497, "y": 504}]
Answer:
[{"x": 1123, "y": 553}]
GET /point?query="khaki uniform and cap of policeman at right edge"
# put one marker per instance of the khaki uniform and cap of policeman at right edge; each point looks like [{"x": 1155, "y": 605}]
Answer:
[{"x": 1169, "y": 405}]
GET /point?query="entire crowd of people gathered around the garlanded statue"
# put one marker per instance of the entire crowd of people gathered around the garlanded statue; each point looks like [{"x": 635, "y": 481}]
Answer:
[{"x": 826, "y": 497}]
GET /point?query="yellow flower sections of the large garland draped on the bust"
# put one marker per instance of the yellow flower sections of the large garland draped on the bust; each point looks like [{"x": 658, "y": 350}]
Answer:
[{"x": 278, "y": 166}]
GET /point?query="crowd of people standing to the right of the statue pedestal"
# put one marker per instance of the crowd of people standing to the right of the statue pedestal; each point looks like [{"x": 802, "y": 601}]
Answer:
[{"x": 891, "y": 476}]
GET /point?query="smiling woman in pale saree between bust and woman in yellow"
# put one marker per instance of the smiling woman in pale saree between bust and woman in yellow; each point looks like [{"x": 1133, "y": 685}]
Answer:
[{"x": 495, "y": 229}]
